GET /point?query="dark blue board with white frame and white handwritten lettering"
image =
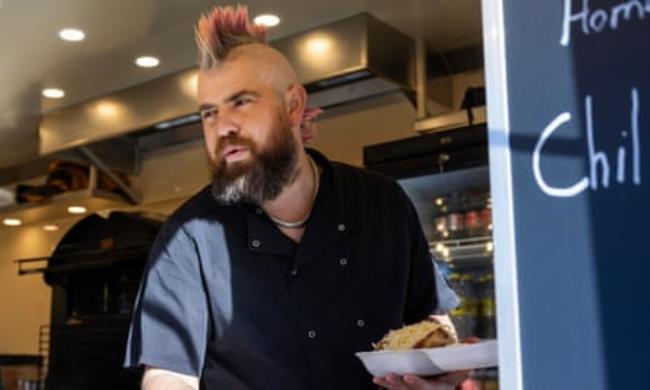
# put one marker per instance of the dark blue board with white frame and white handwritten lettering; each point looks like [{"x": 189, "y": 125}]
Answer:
[{"x": 569, "y": 126}]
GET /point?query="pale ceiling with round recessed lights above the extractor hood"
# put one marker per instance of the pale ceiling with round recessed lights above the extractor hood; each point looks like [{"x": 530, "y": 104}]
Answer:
[{"x": 33, "y": 57}]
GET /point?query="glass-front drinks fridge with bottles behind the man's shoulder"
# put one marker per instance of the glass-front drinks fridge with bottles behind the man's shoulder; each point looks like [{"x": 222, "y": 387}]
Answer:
[{"x": 446, "y": 176}]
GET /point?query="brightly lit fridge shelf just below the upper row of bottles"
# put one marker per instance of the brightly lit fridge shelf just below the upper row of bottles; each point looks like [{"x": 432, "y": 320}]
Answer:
[{"x": 464, "y": 250}]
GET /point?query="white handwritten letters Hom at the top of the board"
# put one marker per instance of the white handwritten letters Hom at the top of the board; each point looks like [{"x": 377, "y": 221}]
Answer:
[{"x": 600, "y": 19}]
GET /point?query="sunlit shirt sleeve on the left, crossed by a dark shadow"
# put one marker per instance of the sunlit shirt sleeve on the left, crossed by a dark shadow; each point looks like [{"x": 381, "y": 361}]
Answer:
[{"x": 170, "y": 322}]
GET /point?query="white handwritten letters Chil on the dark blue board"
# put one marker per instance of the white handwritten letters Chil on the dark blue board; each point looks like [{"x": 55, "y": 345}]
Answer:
[{"x": 596, "y": 158}]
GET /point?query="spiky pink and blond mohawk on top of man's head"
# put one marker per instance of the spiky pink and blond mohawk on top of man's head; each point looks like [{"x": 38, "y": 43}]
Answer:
[{"x": 223, "y": 29}]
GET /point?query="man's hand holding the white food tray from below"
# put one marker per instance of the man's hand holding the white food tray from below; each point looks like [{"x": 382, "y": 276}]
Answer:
[{"x": 413, "y": 382}]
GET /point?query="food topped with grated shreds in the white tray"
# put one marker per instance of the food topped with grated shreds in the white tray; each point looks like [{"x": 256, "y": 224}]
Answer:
[{"x": 429, "y": 333}]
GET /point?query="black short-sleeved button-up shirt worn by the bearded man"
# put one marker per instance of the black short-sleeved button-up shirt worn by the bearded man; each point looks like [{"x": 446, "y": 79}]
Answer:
[{"x": 227, "y": 297}]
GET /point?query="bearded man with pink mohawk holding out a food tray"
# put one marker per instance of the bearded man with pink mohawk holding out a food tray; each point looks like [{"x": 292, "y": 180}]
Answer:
[{"x": 275, "y": 274}]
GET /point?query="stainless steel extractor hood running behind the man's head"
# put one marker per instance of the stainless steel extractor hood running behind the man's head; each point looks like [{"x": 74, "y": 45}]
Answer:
[{"x": 349, "y": 59}]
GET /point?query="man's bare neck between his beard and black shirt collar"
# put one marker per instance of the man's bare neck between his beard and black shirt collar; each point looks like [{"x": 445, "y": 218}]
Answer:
[{"x": 296, "y": 200}]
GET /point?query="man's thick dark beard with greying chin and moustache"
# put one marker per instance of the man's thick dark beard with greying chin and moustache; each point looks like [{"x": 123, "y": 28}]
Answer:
[{"x": 262, "y": 178}]
